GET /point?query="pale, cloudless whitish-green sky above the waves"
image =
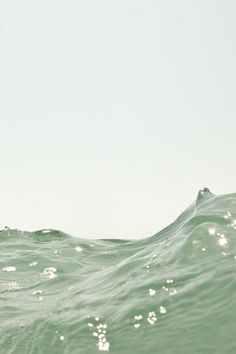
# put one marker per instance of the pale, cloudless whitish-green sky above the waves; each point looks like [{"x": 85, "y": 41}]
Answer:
[{"x": 113, "y": 114}]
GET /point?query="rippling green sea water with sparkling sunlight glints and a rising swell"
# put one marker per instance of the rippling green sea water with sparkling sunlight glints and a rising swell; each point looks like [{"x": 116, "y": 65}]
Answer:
[{"x": 174, "y": 292}]
